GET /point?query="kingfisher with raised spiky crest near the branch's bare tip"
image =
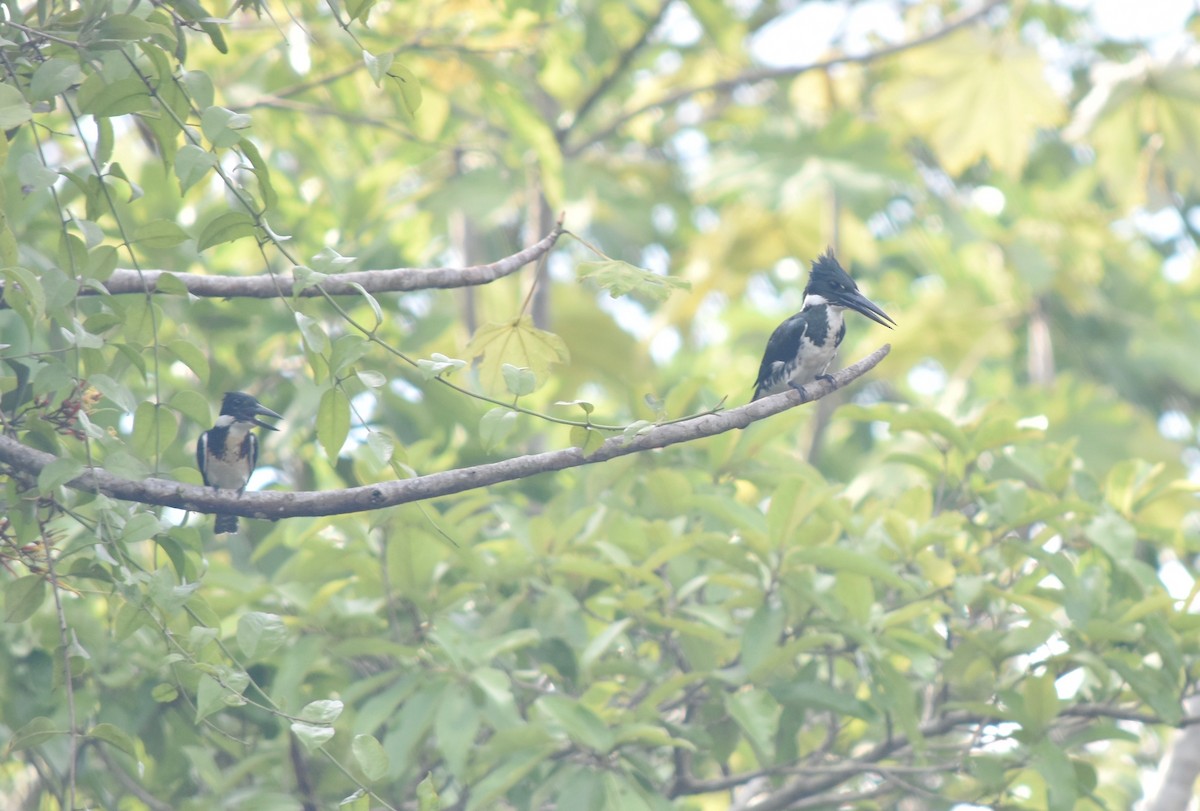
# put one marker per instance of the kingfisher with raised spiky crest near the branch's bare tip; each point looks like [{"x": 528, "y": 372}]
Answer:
[{"x": 801, "y": 350}]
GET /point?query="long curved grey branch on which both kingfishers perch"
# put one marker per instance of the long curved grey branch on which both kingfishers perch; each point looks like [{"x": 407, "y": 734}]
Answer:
[{"x": 274, "y": 504}]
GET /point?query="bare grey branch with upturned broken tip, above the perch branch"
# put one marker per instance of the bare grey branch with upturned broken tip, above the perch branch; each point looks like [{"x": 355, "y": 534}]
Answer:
[{"x": 394, "y": 280}]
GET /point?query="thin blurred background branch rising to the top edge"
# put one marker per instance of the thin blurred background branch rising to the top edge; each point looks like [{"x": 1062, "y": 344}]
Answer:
[{"x": 773, "y": 74}]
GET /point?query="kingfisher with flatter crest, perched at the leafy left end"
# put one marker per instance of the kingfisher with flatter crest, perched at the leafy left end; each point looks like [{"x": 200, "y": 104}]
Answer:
[{"x": 229, "y": 452}]
